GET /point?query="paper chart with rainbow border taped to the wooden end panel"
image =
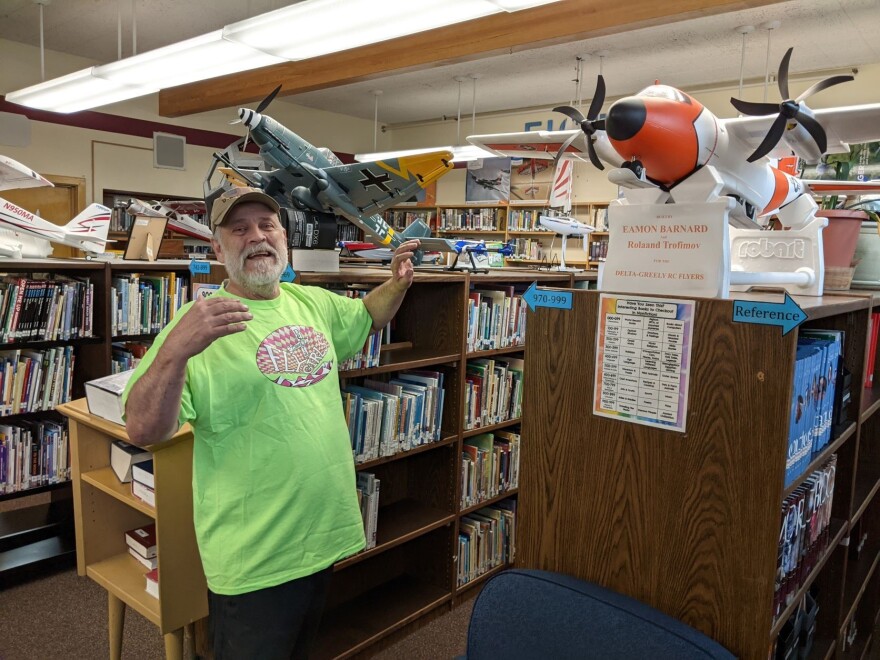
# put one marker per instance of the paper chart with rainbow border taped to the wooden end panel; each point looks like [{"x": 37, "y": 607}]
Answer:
[{"x": 643, "y": 356}]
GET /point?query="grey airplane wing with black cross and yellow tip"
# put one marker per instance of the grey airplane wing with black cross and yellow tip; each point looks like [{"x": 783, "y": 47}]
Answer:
[{"x": 374, "y": 186}]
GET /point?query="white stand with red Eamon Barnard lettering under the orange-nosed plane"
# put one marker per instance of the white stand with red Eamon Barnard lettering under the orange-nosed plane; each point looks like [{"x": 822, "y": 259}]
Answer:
[{"x": 680, "y": 241}]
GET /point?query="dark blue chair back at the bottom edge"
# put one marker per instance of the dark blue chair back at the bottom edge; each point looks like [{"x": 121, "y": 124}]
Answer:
[{"x": 530, "y": 615}]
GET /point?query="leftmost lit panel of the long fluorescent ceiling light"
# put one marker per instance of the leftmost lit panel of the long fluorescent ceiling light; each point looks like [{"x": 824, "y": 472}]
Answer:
[{"x": 76, "y": 91}]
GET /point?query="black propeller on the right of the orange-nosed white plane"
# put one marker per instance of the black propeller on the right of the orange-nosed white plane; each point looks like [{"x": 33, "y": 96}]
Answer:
[{"x": 789, "y": 110}]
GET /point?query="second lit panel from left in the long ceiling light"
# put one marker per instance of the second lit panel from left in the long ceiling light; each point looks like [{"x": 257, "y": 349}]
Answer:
[{"x": 200, "y": 58}]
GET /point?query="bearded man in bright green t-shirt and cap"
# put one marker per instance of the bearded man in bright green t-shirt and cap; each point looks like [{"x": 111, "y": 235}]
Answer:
[{"x": 253, "y": 369}]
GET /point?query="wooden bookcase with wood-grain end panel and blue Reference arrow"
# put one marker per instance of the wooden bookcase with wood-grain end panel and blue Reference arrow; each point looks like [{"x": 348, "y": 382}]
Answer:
[{"x": 689, "y": 522}]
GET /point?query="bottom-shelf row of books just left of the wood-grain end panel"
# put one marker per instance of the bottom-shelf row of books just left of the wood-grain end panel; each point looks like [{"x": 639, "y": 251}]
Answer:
[{"x": 486, "y": 540}]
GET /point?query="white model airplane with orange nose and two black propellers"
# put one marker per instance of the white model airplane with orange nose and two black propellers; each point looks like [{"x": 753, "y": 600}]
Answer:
[{"x": 661, "y": 136}]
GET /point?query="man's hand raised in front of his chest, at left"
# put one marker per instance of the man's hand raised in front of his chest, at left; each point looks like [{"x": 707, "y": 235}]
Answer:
[{"x": 206, "y": 321}]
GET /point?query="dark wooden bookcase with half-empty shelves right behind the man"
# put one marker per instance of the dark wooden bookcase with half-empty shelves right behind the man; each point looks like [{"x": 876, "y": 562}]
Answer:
[{"x": 412, "y": 570}]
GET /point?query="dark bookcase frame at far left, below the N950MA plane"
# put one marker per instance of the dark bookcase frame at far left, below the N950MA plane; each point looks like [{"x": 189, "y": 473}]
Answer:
[{"x": 36, "y": 533}]
